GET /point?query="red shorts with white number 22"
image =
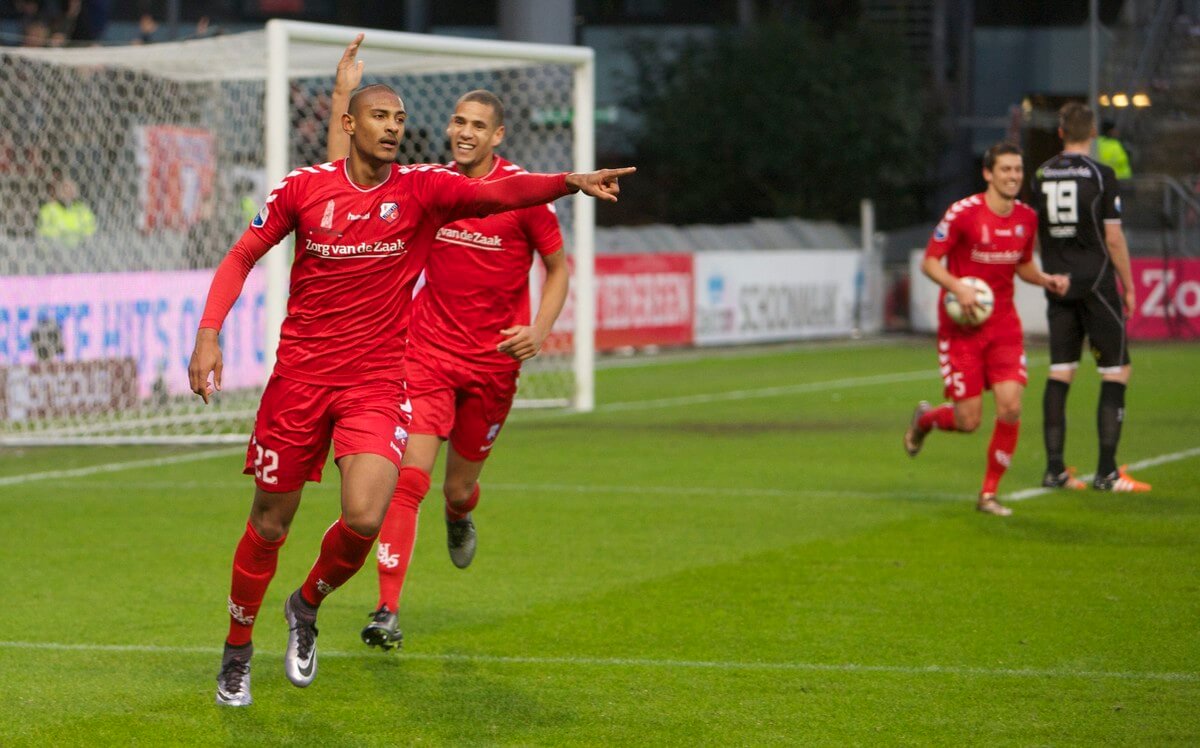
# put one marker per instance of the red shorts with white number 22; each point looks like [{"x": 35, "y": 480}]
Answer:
[{"x": 297, "y": 422}]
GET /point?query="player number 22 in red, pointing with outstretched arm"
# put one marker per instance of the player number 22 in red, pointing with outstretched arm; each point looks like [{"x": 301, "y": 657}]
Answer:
[{"x": 364, "y": 229}]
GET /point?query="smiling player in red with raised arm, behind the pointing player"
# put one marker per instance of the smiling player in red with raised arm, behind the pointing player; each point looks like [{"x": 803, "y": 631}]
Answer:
[{"x": 466, "y": 345}]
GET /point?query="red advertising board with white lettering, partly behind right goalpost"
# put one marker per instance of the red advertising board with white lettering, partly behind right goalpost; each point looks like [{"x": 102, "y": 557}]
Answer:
[{"x": 641, "y": 301}]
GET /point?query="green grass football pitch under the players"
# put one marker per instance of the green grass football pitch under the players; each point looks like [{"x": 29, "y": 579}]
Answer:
[{"x": 733, "y": 550}]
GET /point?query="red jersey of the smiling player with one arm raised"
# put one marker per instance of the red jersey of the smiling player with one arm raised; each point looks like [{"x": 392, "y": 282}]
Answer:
[{"x": 478, "y": 282}]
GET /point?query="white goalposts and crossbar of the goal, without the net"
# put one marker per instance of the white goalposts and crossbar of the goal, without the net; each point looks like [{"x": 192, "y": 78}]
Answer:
[{"x": 281, "y": 34}]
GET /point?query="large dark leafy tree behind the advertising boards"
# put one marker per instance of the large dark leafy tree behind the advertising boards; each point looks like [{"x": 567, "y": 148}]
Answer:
[{"x": 782, "y": 121}]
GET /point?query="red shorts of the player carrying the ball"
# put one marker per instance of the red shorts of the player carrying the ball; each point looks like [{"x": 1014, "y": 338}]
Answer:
[{"x": 973, "y": 362}]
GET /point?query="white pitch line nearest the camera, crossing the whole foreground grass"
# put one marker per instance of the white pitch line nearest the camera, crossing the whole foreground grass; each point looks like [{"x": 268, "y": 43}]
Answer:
[{"x": 627, "y": 662}]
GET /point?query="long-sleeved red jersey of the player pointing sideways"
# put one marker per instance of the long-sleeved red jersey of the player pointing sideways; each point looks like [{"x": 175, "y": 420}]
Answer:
[{"x": 358, "y": 254}]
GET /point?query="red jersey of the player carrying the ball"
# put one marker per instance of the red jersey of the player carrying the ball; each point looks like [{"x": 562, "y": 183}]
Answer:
[{"x": 977, "y": 242}]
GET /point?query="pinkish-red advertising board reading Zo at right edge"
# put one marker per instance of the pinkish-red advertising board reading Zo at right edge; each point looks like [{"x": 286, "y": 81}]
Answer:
[{"x": 1168, "y": 298}]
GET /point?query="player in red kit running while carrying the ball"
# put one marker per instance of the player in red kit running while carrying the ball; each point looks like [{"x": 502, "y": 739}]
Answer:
[{"x": 989, "y": 236}]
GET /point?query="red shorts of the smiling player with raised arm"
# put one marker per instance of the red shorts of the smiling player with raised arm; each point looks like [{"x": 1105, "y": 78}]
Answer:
[{"x": 459, "y": 403}]
